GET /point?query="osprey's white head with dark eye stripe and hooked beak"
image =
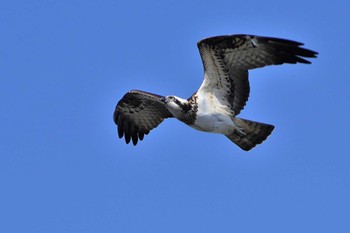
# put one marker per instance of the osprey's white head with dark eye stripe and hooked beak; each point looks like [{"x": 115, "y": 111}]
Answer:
[{"x": 176, "y": 105}]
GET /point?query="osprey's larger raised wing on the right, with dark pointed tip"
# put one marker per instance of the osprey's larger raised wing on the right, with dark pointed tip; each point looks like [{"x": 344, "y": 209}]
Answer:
[{"x": 227, "y": 59}]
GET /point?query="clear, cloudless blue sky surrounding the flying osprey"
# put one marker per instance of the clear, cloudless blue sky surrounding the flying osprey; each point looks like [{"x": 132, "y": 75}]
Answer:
[{"x": 65, "y": 64}]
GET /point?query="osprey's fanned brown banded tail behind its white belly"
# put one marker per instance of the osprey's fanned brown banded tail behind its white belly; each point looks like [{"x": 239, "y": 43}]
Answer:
[{"x": 250, "y": 133}]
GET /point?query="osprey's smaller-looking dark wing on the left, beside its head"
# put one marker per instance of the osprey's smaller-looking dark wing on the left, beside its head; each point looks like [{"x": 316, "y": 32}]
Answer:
[{"x": 137, "y": 113}]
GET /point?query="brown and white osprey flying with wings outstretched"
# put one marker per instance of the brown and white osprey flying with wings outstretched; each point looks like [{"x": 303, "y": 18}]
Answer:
[{"x": 221, "y": 97}]
